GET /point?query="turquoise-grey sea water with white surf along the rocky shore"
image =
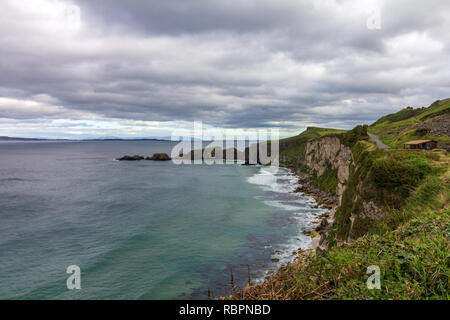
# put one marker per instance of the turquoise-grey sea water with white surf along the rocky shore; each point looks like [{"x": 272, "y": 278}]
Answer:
[{"x": 139, "y": 230}]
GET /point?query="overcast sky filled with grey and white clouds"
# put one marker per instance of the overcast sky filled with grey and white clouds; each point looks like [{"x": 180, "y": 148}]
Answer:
[{"x": 97, "y": 68}]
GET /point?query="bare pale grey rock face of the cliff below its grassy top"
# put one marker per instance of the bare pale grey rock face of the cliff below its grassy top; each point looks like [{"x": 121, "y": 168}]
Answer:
[{"x": 326, "y": 153}]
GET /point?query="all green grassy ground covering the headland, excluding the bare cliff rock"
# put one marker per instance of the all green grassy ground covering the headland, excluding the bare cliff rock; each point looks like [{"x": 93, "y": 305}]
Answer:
[{"x": 410, "y": 244}]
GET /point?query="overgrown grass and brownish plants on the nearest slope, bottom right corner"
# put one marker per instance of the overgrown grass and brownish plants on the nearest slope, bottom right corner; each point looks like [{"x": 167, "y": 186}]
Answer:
[{"x": 413, "y": 257}]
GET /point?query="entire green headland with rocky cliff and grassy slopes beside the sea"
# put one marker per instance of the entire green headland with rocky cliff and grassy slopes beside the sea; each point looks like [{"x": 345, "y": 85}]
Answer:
[{"x": 388, "y": 208}]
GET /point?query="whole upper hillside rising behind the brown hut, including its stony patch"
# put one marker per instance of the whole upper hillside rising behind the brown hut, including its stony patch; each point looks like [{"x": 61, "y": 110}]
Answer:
[{"x": 413, "y": 124}]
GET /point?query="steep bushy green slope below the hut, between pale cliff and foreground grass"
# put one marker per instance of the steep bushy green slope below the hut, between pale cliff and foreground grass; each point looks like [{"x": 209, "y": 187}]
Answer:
[{"x": 388, "y": 179}]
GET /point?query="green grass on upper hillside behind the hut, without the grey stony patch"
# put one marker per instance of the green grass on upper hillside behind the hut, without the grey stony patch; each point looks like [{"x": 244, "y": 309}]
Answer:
[{"x": 397, "y": 128}]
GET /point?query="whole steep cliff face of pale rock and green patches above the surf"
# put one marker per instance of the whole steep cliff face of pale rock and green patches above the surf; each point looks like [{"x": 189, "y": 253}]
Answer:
[{"x": 339, "y": 165}]
